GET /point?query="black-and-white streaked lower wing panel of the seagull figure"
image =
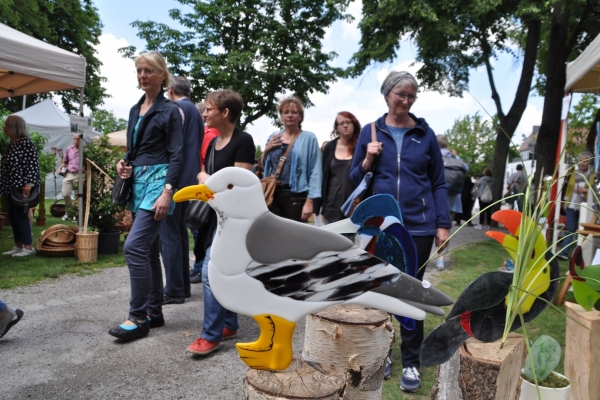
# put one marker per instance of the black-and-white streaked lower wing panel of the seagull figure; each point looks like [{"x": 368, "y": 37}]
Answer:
[{"x": 329, "y": 276}]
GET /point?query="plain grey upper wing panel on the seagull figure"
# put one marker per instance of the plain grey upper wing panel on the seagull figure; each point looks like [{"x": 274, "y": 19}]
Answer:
[{"x": 272, "y": 239}]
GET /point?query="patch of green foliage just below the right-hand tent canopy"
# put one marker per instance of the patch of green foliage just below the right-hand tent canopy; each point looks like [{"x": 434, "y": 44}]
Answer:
[{"x": 580, "y": 120}]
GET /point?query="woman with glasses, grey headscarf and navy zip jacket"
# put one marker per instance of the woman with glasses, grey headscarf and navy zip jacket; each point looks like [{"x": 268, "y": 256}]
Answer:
[{"x": 407, "y": 163}]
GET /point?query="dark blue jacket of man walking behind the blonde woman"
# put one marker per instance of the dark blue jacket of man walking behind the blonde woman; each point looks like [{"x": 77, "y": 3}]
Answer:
[{"x": 193, "y": 133}]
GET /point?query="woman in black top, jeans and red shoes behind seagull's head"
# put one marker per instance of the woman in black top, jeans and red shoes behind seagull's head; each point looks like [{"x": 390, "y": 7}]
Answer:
[{"x": 233, "y": 148}]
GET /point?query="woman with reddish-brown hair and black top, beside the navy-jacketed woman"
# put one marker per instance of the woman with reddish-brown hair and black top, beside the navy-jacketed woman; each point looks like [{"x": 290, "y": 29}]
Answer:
[{"x": 337, "y": 159}]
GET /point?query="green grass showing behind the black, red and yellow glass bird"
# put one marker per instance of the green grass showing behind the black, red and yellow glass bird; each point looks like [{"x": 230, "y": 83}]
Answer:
[{"x": 468, "y": 264}]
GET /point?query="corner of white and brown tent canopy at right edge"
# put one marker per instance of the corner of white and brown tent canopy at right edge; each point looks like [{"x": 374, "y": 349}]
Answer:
[{"x": 583, "y": 73}]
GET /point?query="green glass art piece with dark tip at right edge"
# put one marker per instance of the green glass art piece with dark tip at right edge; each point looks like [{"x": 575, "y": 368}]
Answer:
[{"x": 586, "y": 280}]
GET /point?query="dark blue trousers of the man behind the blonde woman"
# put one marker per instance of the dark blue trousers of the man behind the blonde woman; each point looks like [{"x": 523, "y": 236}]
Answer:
[{"x": 175, "y": 250}]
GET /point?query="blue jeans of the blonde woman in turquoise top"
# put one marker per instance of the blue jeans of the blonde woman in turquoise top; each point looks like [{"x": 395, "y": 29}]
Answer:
[{"x": 141, "y": 253}]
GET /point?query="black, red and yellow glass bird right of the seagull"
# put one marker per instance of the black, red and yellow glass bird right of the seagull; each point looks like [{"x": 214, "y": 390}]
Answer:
[{"x": 480, "y": 311}]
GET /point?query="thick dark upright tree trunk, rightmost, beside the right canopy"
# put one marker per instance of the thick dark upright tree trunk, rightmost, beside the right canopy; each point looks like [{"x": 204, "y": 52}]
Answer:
[{"x": 558, "y": 54}]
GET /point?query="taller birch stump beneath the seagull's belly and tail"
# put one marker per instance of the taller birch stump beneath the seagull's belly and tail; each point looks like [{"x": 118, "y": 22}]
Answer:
[{"x": 352, "y": 338}]
